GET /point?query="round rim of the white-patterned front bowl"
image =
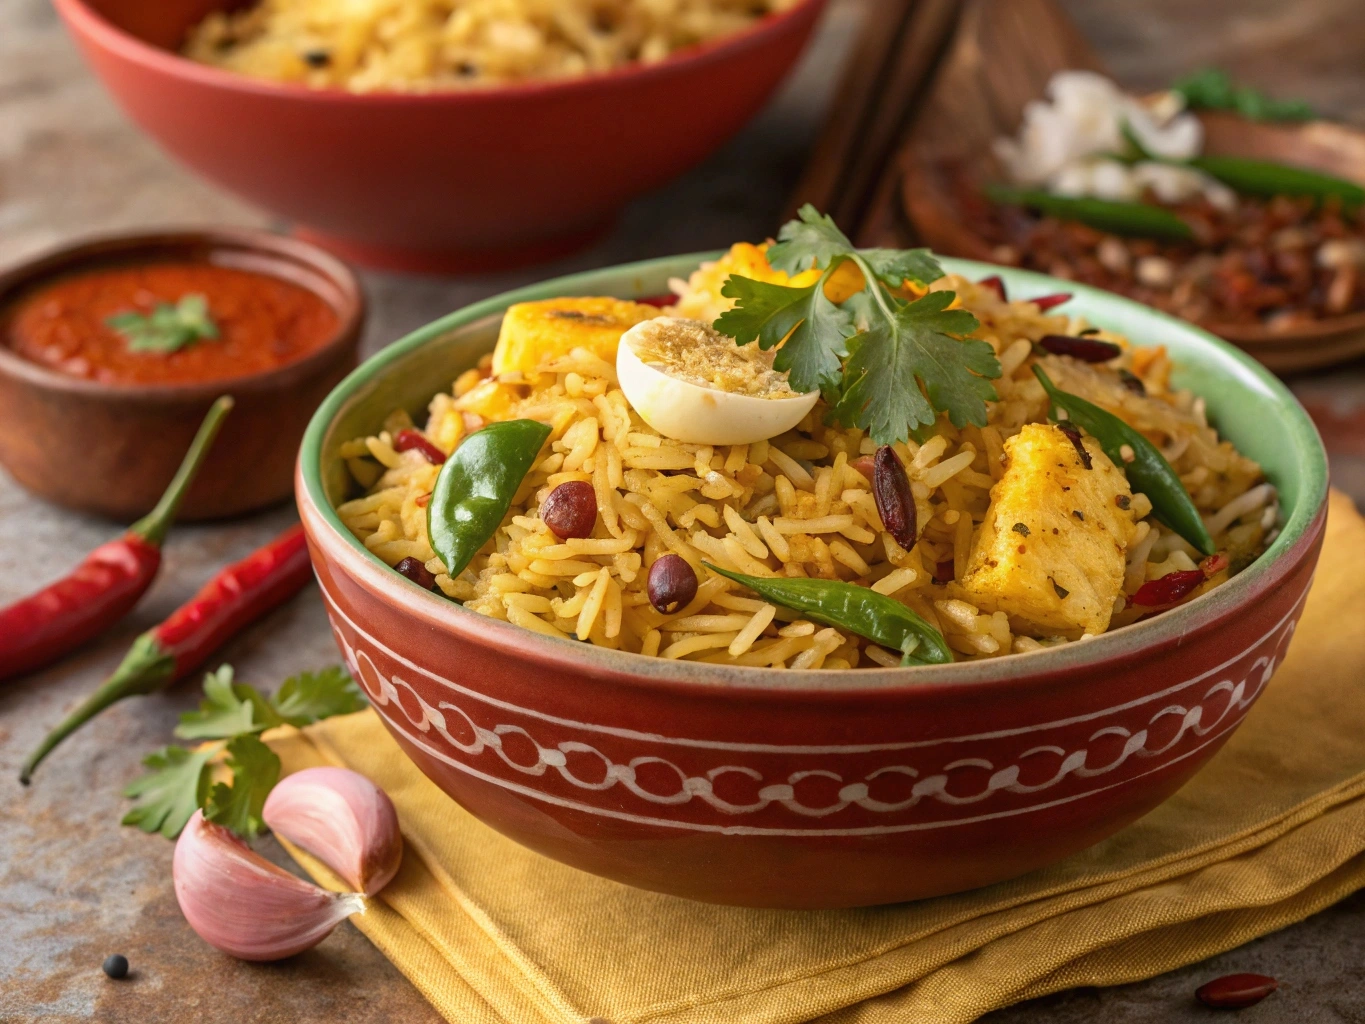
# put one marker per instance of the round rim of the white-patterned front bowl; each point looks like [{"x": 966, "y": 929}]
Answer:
[{"x": 1180, "y": 626}]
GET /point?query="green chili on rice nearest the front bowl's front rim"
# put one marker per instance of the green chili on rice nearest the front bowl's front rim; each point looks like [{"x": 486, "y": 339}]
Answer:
[{"x": 859, "y": 610}]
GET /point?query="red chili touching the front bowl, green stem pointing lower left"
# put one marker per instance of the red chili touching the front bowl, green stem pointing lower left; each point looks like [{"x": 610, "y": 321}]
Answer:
[{"x": 234, "y": 599}]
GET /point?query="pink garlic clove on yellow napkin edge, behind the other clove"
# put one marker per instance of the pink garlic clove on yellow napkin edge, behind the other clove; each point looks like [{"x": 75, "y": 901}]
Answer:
[{"x": 343, "y": 820}]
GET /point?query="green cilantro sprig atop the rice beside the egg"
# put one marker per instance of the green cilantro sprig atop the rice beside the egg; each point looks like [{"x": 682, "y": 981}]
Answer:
[{"x": 884, "y": 364}]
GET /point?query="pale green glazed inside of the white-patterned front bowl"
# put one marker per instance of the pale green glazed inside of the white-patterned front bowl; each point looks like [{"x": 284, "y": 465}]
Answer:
[{"x": 1244, "y": 401}]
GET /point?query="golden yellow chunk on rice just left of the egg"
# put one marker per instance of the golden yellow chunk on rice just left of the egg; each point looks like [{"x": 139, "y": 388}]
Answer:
[{"x": 536, "y": 332}]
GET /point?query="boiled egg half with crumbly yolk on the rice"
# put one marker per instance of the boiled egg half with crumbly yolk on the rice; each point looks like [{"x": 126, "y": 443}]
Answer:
[{"x": 694, "y": 384}]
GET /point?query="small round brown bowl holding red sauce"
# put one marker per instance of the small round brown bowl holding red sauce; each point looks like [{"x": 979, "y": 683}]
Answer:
[{"x": 113, "y": 449}]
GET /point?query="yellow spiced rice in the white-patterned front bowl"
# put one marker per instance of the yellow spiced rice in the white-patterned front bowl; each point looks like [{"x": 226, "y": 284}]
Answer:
[{"x": 799, "y": 504}]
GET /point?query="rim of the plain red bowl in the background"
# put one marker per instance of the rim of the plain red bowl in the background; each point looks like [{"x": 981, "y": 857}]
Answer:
[{"x": 134, "y": 50}]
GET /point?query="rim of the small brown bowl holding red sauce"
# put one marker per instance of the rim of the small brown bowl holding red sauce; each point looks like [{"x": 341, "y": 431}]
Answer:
[{"x": 349, "y": 304}]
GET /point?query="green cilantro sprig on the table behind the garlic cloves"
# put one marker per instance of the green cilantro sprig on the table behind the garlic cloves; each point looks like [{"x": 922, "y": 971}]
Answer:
[{"x": 231, "y": 717}]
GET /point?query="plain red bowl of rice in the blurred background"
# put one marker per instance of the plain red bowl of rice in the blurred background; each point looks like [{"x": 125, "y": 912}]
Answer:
[{"x": 439, "y": 181}]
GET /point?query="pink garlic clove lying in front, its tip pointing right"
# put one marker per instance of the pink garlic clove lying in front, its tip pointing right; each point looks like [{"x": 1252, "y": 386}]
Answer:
[{"x": 241, "y": 903}]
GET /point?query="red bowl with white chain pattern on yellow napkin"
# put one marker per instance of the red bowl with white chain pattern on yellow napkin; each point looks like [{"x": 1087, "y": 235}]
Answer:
[{"x": 773, "y": 788}]
